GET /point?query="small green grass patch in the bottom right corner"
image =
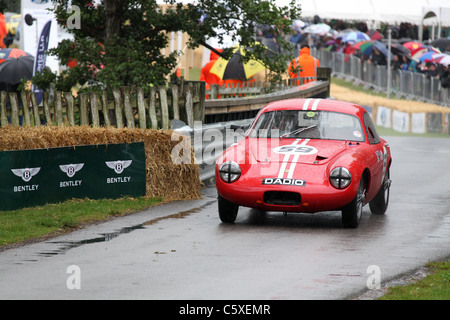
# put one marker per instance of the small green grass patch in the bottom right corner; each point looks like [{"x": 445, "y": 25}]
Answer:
[{"x": 435, "y": 286}]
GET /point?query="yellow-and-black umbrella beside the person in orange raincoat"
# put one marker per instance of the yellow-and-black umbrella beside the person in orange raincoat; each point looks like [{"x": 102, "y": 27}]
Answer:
[{"x": 235, "y": 68}]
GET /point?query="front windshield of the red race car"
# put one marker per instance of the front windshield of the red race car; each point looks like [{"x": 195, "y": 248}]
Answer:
[{"x": 308, "y": 124}]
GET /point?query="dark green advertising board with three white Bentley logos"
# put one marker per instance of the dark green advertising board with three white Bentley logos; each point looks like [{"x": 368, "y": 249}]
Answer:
[{"x": 36, "y": 177}]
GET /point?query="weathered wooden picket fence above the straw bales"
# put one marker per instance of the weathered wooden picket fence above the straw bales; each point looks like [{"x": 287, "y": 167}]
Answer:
[{"x": 129, "y": 107}]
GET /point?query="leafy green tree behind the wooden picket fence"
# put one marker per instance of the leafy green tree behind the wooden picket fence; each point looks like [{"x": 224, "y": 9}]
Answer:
[{"x": 119, "y": 42}]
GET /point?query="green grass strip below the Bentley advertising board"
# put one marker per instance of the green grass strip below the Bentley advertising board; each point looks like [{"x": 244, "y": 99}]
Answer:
[{"x": 20, "y": 226}]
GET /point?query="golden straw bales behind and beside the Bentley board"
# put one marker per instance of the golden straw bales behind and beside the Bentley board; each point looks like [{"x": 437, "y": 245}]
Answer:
[{"x": 164, "y": 178}]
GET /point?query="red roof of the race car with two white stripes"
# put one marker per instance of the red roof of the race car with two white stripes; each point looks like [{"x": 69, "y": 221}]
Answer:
[{"x": 315, "y": 104}]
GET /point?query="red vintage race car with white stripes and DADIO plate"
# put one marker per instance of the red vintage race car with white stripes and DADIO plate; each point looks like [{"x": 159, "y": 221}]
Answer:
[{"x": 306, "y": 155}]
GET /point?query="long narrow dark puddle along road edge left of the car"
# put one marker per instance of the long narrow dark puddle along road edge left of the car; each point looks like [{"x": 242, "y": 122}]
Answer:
[{"x": 104, "y": 237}]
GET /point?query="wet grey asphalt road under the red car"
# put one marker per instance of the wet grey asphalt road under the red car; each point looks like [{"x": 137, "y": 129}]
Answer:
[{"x": 182, "y": 250}]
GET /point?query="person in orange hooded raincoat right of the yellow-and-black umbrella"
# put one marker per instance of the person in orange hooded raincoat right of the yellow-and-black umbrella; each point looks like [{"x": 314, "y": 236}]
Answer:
[{"x": 304, "y": 66}]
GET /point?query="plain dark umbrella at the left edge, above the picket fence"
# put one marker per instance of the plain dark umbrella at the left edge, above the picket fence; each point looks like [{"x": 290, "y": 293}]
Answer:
[{"x": 13, "y": 70}]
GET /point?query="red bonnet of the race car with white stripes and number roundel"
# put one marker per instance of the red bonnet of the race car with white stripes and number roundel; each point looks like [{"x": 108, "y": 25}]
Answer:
[{"x": 306, "y": 151}]
